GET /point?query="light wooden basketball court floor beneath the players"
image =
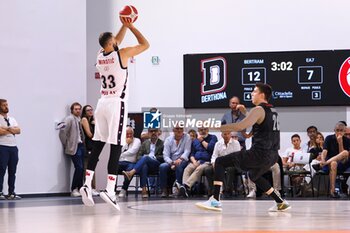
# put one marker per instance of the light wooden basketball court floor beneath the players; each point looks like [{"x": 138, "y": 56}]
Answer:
[{"x": 67, "y": 214}]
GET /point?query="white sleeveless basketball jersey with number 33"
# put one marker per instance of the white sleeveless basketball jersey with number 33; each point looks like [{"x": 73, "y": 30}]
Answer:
[{"x": 113, "y": 75}]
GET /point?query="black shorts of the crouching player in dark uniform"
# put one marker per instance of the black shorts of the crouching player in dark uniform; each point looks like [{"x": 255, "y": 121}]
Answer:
[{"x": 255, "y": 162}]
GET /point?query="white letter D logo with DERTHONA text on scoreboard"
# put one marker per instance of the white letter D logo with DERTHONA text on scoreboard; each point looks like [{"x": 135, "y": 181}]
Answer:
[{"x": 214, "y": 79}]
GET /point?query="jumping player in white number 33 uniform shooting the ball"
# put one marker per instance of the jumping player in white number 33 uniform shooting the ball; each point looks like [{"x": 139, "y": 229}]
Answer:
[{"x": 111, "y": 111}]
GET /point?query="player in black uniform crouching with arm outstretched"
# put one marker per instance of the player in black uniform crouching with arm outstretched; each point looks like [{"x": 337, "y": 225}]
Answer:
[{"x": 260, "y": 157}]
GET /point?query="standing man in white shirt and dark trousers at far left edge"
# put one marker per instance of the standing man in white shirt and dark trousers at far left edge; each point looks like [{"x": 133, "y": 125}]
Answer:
[{"x": 8, "y": 150}]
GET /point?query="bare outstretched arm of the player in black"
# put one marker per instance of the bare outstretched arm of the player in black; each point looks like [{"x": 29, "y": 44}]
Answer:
[{"x": 256, "y": 115}]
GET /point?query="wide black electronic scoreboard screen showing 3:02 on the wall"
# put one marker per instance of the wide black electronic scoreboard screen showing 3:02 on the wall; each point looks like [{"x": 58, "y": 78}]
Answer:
[{"x": 299, "y": 78}]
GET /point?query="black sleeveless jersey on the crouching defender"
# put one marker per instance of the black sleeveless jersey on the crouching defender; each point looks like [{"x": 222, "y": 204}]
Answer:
[{"x": 266, "y": 136}]
